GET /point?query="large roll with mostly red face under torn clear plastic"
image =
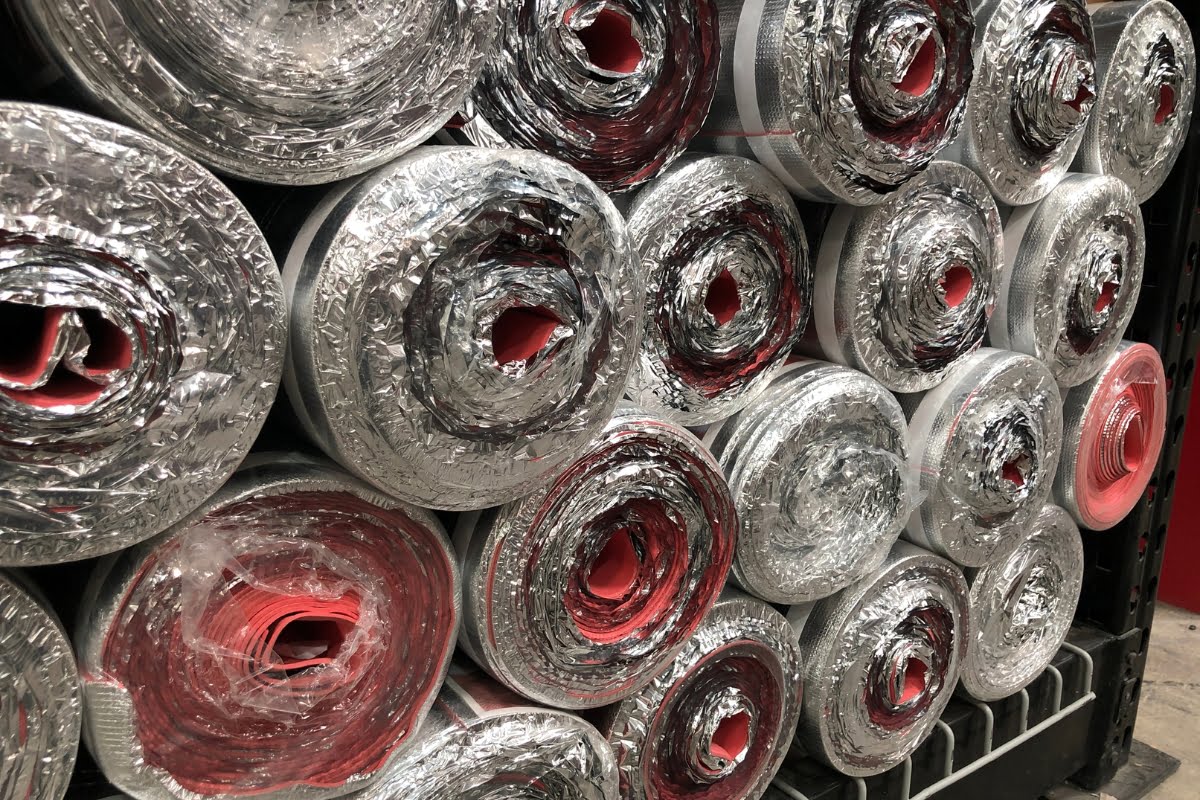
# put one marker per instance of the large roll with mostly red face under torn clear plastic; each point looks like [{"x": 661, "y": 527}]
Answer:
[{"x": 285, "y": 642}]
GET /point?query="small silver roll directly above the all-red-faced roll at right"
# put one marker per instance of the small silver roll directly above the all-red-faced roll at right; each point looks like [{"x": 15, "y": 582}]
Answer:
[{"x": 1075, "y": 274}]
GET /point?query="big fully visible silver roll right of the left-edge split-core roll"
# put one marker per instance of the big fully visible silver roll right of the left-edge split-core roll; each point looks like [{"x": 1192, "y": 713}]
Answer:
[{"x": 464, "y": 322}]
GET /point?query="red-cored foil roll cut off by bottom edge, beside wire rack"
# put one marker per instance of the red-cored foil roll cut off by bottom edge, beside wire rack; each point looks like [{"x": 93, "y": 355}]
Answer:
[{"x": 719, "y": 721}]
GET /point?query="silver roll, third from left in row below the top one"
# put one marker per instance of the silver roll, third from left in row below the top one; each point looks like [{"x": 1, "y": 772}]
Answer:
[{"x": 729, "y": 287}]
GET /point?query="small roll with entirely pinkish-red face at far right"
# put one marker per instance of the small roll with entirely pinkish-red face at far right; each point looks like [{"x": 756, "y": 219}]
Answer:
[{"x": 1114, "y": 432}]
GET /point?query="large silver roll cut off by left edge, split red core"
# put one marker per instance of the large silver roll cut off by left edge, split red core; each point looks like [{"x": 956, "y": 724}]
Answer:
[{"x": 143, "y": 328}]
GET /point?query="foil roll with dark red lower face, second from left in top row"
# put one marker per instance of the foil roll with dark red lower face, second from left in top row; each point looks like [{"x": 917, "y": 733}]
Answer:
[{"x": 615, "y": 88}]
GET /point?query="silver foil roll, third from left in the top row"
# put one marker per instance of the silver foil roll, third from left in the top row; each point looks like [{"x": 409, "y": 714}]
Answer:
[{"x": 843, "y": 100}]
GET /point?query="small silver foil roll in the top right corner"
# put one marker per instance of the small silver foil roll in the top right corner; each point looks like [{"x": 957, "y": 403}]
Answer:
[{"x": 1147, "y": 61}]
